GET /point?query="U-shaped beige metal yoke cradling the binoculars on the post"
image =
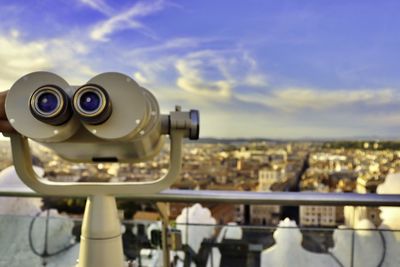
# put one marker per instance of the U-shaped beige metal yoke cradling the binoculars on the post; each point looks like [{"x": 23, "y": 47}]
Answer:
[{"x": 23, "y": 165}]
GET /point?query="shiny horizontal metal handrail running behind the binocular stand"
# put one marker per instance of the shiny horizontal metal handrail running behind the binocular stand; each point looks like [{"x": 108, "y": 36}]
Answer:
[{"x": 247, "y": 197}]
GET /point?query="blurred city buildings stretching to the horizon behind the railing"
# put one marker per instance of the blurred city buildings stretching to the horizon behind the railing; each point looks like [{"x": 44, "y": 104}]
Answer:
[{"x": 252, "y": 165}]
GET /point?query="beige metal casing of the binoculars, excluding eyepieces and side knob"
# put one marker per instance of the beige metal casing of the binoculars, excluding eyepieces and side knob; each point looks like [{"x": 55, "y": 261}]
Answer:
[{"x": 132, "y": 133}]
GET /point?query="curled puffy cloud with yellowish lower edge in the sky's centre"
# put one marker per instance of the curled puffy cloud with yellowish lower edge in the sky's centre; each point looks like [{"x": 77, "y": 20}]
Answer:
[{"x": 217, "y": 73}]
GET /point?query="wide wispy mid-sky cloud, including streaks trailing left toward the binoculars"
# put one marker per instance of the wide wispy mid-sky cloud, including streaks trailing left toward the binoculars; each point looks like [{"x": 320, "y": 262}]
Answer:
[{"x": 211, "y": 74}]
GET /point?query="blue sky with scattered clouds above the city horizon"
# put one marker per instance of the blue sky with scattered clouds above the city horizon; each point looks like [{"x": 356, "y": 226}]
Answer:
[{"x": 279, "y": 69}]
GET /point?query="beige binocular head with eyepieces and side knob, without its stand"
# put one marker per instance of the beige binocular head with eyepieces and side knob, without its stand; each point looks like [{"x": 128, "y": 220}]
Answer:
[{"x": 108, "y": 119}]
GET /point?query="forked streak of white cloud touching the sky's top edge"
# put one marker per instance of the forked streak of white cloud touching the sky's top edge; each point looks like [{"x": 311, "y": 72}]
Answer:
[{"x": 126, "y": 20}]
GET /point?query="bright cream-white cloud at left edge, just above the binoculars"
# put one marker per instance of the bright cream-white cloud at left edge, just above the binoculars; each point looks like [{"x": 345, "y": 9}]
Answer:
[{"x": 20, "y": 57}]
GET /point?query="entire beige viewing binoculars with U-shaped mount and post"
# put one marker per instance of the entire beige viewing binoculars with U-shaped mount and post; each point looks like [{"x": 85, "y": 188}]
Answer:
[{"x": 108, "y": 119}]
